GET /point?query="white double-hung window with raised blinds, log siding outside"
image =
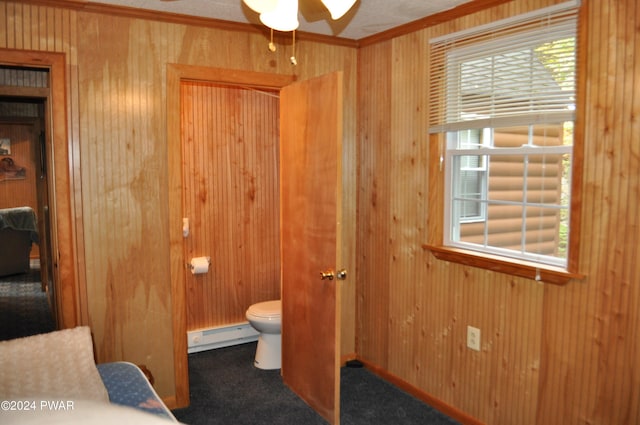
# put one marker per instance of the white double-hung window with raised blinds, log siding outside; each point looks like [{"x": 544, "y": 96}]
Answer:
[{"x": 503, "y": 109}]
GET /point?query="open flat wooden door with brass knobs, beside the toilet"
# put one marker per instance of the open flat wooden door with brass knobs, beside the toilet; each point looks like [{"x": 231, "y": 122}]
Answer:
[{"x": 310, "y": 179}]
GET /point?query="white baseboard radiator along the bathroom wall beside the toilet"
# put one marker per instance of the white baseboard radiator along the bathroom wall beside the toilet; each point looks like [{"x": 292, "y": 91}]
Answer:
[{"x": 218, "y": 337}]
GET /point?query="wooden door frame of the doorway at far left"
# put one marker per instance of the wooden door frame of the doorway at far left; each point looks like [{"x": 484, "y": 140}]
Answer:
[{"x": 62, "y": 267}]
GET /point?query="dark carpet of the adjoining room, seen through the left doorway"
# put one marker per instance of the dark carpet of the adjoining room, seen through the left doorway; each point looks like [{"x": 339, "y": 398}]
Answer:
[{"x": 24, "y": 309}]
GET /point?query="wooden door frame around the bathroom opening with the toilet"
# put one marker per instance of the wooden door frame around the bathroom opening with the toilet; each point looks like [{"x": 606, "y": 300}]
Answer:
[{"x": 177, "y": 73}]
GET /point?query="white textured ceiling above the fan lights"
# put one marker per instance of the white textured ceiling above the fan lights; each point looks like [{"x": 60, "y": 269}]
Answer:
[{"x": 367, "y": 17}]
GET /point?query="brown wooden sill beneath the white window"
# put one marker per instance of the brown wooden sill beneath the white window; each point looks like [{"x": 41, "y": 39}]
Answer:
[{"x": 534, "y": 271}]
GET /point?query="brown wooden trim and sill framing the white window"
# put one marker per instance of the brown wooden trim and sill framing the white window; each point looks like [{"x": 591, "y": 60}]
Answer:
[{"x": 518, "y": 267}]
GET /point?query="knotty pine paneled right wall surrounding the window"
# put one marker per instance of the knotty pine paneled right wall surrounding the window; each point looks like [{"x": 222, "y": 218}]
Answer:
[{"x": 550, "y": 354}]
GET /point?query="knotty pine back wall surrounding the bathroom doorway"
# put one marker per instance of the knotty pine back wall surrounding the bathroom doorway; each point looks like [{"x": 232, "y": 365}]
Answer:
[{"x": 116, "y": 115}]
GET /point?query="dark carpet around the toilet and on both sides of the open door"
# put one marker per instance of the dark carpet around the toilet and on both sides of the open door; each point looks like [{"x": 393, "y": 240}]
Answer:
[{"x": 227, "y": 389}]
